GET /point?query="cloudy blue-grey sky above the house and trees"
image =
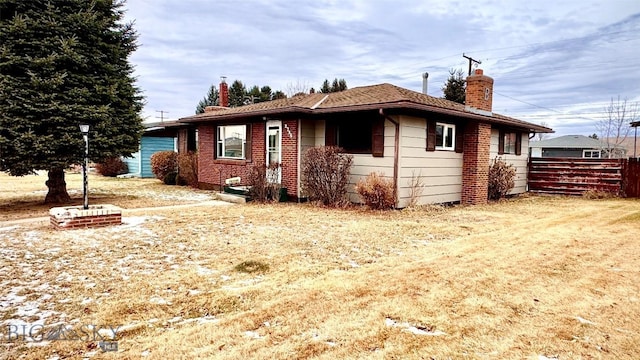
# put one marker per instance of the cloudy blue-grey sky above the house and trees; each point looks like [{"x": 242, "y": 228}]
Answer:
[{"x": 555, "y": 61}]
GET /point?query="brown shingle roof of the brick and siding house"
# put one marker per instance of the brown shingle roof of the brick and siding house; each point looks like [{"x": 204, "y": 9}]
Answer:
[{"x": 382, "y": 96}]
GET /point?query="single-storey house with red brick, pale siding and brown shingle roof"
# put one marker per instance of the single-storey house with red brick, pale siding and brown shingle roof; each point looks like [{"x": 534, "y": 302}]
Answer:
[{"x": 388, "y": 129}]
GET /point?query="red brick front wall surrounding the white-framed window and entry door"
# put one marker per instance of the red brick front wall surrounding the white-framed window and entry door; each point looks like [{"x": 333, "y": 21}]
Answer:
[{"x": 213, "y": 172}]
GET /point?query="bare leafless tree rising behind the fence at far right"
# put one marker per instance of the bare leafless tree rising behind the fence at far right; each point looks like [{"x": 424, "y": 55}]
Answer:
[{"x": 615, "y": 126}]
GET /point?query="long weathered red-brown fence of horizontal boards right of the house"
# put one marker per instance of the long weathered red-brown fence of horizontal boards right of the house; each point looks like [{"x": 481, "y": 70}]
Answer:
[{"x": 573, "y": 176}]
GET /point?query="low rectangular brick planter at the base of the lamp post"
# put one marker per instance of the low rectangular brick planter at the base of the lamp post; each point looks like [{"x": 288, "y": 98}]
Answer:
[{"x": 75, "y": 217}]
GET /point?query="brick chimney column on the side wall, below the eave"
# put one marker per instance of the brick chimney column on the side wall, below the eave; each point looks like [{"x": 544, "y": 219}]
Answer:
[{"x": 475, "y": 163}]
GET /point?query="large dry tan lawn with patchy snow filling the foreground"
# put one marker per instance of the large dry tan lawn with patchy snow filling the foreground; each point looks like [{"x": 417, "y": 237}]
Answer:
[{"x": 529, "y": 278}]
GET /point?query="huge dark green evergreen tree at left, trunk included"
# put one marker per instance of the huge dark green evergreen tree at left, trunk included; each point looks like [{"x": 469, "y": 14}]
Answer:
[{"x": 65, "y": 63}]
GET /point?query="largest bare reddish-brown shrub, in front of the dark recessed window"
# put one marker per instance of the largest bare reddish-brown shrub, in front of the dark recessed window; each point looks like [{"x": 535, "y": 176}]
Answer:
[{"x": 325, "y": 175}]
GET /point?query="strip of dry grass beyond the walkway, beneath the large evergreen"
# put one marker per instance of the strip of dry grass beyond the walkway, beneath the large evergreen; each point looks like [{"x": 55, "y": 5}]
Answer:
[{"x": 23, "y": 197}]
